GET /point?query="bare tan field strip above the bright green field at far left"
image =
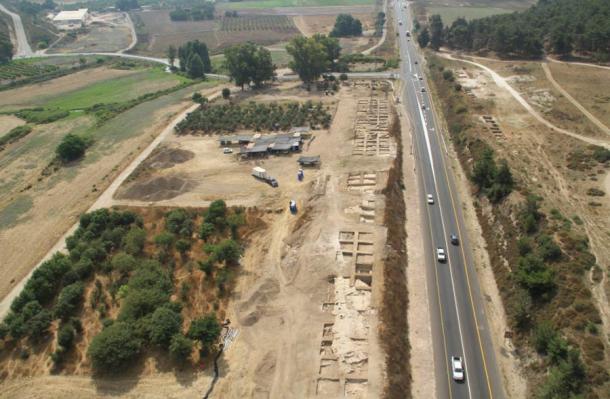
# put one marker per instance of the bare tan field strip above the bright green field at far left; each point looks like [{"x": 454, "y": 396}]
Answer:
[{"x": 23, "y": 96}]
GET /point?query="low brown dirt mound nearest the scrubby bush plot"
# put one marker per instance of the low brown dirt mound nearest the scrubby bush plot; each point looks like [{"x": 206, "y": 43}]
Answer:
[{"x": 157, "y": 189}]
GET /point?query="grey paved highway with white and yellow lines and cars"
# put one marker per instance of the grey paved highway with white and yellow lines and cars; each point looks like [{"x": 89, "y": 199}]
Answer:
[{"x": 458, "y": 320}]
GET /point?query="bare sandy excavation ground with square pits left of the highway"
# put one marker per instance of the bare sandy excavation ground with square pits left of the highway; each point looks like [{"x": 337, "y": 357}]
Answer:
[{"x": 306, "y": 301}]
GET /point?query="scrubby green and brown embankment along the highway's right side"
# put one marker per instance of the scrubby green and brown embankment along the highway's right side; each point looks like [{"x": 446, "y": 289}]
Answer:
[{"x": 540, "y": 260}]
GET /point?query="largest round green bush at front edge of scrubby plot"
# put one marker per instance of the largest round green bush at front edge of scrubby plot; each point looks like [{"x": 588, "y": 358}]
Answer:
[{"x": 114, "y": 348}]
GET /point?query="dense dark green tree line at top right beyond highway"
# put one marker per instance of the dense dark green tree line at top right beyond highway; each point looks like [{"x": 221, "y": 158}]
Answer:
[{"x": 558, "y": 26}]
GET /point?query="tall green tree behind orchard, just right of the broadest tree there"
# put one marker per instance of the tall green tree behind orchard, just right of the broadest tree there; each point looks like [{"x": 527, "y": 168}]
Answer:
[{"x": 309, "y": 59}]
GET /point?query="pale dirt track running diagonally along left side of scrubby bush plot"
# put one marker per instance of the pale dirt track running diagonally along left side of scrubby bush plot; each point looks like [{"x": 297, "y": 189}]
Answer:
[{"x": 104, "y": 200}]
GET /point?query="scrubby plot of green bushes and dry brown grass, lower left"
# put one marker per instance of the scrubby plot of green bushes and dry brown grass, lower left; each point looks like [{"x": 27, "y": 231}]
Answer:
[{"x": 128, "y": 288}]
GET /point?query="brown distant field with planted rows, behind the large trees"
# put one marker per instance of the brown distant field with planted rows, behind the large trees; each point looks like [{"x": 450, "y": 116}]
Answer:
[{"x": 156, "y": 32}]
